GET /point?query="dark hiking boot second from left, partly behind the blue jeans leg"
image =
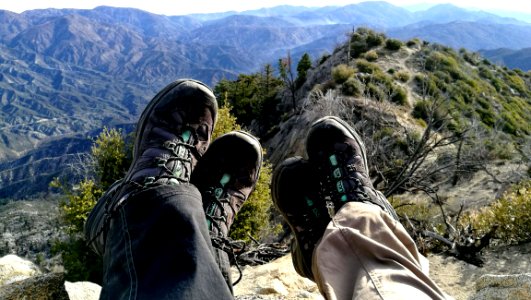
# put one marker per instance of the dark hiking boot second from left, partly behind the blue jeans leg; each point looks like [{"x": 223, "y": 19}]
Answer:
[{"x": 226, "y": 175}]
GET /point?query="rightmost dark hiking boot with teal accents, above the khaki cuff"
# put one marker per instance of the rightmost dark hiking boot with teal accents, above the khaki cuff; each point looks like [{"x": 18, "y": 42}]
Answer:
[{"x": 339, "y": 155}]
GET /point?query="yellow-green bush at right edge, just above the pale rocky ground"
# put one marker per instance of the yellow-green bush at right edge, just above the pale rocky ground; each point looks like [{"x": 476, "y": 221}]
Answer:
[{"x": 512, "y": 213}]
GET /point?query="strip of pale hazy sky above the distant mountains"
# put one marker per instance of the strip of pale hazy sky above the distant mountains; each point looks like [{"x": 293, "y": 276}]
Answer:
[{"x": 179, "y": 7}]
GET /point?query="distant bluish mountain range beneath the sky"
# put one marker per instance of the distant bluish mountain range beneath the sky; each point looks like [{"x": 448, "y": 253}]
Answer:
[{"x": 67, "y": 73}]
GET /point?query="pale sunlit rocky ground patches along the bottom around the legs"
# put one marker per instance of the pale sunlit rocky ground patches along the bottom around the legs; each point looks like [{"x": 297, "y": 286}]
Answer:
[{"x": 505, "y": 275}]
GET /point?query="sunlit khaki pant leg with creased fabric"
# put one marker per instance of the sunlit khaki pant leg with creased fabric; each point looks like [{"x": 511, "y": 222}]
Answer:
[{"x": 365, "y": 254}]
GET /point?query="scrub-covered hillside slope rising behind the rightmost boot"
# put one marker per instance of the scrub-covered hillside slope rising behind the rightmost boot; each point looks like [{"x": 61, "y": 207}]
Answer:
[{"x": 470, "y": 116}]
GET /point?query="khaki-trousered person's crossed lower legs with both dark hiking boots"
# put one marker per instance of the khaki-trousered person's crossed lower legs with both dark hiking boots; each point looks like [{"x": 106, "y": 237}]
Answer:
[{"x": 364, "y": 252}]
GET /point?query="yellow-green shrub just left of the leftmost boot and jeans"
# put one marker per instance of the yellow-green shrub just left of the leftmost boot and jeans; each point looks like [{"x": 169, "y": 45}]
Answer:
[{"x": 111, "y": 156}]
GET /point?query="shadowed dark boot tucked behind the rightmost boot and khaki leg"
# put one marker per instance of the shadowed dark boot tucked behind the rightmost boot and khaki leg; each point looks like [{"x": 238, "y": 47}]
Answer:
[{"x": 295, "y": 191}]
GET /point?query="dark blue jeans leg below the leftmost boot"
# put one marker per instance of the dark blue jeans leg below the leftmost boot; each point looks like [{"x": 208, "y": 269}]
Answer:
[{"x": 156, "y": 246}]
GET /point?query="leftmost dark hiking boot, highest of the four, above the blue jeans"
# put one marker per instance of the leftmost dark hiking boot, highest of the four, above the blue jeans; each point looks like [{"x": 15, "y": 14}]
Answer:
[{"x": 173, "y": 132}]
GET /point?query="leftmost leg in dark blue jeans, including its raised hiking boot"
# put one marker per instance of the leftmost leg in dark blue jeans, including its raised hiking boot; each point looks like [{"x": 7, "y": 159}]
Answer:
[{"x": 150, "y": 227}]
